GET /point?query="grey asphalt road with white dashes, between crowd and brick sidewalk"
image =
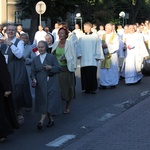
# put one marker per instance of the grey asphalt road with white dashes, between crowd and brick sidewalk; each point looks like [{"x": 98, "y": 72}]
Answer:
[{"x": 87, "y": 112}]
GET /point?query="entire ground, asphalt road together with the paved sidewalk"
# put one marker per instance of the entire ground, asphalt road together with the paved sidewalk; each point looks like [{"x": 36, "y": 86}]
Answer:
[{"x": 104, "y": 121}]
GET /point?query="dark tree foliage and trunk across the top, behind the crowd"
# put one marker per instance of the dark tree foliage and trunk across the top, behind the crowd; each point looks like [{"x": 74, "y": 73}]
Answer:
[{"x": 96, "y": 11}]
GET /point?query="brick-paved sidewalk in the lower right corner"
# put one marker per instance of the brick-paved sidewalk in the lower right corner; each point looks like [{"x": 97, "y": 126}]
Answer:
[{"x": 128, "y": 131}]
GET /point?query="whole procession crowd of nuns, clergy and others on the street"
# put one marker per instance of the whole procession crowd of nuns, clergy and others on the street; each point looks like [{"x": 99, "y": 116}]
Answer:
[{"x": 45, "y": 69}]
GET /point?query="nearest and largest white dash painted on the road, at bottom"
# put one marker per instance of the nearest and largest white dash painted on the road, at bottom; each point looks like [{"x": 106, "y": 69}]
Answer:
[{"x": 61, "y": 140}]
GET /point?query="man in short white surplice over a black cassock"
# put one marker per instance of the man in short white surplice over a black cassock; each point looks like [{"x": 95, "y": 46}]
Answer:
[{"x": 89, "y": 53}]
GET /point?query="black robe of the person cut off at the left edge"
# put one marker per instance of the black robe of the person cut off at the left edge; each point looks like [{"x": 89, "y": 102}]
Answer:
[{"x": 8, "y": 119}]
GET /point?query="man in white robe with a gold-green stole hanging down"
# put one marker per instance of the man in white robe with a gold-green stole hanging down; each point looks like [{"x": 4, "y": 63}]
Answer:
[{"x": 109, "y": 75}]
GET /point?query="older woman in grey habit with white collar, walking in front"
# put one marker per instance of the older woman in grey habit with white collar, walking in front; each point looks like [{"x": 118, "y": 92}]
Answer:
[{"x": 44, "y": 69}]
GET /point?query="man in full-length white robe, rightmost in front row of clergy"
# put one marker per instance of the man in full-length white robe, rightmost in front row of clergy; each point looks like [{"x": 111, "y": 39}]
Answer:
[{"x": 136, "y": 52}]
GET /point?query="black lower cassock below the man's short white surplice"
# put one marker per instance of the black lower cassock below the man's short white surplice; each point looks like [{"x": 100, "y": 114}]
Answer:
[{"x": 89, "y": 78}]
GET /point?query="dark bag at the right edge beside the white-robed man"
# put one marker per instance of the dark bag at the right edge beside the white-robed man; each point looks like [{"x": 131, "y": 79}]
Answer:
[{"x": 146, "y": 68}]
